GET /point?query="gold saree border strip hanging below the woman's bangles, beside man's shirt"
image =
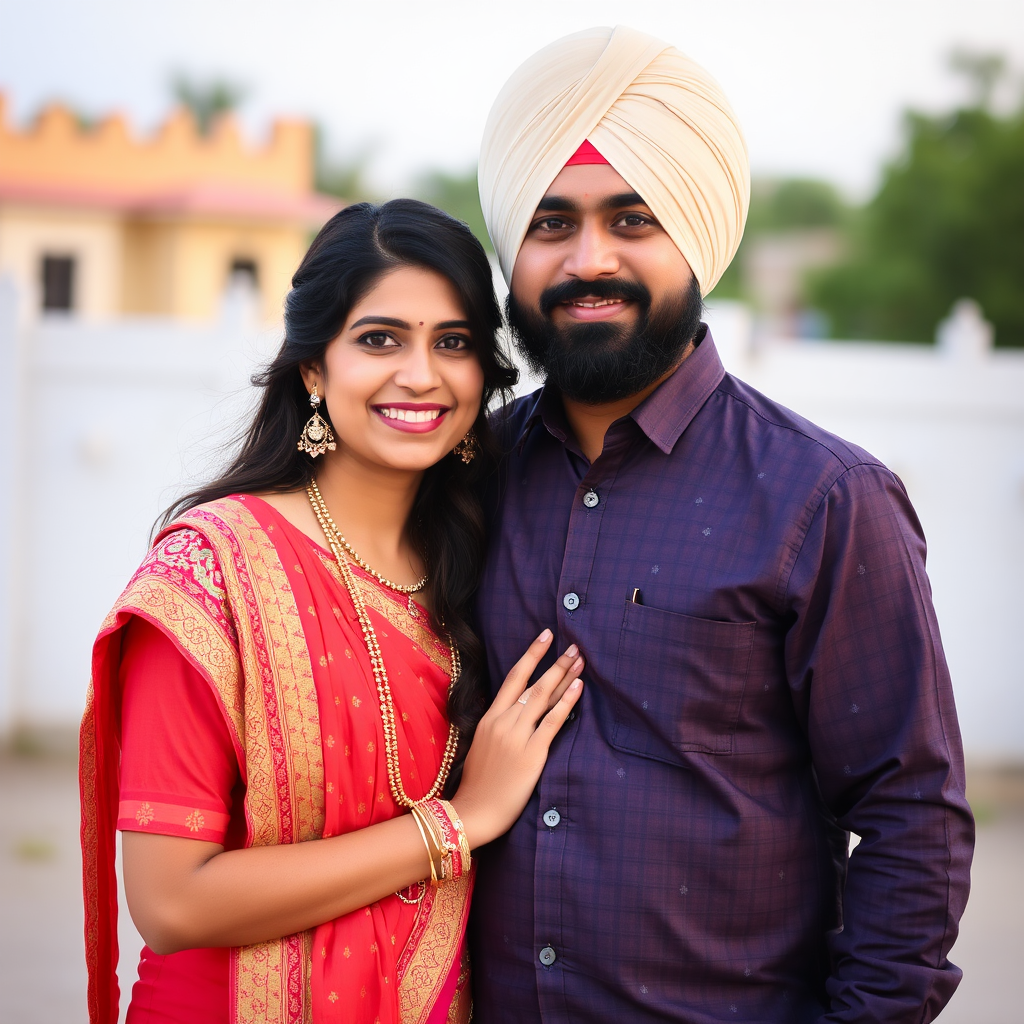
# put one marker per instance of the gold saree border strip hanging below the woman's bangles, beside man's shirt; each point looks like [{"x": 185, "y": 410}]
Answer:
[{"x": 433, "y": 949}]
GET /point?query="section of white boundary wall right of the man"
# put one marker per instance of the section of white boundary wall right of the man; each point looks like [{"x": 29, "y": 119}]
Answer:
[{"x": 951, "y": 424}]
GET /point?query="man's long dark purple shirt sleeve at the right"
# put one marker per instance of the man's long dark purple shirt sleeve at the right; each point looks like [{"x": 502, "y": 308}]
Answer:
[{"x": 871, "y": 685}]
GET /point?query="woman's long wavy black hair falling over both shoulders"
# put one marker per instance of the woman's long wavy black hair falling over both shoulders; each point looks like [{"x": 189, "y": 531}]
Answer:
[{"x": 351, "y": 254}]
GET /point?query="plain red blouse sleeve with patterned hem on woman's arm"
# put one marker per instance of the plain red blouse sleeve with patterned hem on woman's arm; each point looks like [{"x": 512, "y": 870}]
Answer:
[{"x": 179, "y": 766}]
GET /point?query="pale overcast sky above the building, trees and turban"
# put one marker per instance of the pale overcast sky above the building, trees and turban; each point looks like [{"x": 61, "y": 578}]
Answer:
[{"x": 819, "y": 84}]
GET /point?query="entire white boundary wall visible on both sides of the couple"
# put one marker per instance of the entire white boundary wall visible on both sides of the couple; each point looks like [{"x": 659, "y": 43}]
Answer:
[{"x": 103, "y": 424}]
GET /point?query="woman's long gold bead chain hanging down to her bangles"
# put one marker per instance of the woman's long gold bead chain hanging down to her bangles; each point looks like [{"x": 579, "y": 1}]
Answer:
[{"x": 380, "y": 673}]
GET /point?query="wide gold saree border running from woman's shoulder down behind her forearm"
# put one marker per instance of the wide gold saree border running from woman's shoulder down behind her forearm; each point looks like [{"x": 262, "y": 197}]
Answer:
[{"x": 284, "y": 756}]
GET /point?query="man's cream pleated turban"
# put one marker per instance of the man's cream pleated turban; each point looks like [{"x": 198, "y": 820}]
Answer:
[{"x": 660, "y": 119}]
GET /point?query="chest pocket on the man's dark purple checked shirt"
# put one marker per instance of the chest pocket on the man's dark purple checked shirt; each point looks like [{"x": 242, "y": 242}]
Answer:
[{"x": 679, "y": 684}]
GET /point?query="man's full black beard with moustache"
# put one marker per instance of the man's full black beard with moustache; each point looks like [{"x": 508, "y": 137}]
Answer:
[{"x": 594, "y": 364}]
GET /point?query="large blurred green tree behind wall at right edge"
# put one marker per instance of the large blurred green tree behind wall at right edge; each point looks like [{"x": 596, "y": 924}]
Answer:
[{"x": 948, "y": 223}]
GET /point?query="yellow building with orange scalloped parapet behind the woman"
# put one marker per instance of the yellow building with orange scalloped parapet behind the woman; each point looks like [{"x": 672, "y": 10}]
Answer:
[{"x": 99, "y": 224}]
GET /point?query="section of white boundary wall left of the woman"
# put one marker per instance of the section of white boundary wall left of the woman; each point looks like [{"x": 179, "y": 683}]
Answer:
[{"x": 102, "y": 425}]
